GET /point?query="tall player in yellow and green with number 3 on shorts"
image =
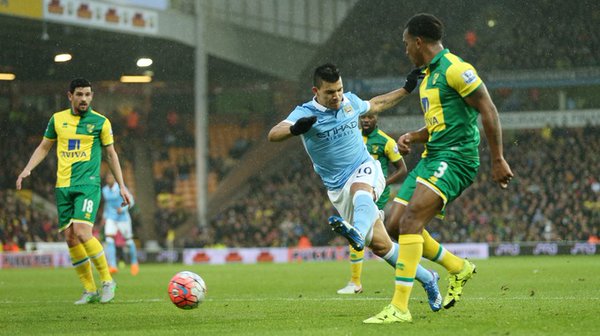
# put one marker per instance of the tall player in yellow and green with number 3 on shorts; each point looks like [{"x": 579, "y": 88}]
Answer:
[{"x": 452, "y": 96}]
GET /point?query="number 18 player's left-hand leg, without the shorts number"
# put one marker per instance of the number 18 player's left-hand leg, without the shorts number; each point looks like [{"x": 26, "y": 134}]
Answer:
[{"x": 79, "y": 259}]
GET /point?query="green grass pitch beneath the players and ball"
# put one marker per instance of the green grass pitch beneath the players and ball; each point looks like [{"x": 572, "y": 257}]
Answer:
[{"x": 508, "y": 296}]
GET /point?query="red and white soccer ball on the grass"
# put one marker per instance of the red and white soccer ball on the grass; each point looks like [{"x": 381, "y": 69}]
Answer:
[{"x": 187, "y": 290}]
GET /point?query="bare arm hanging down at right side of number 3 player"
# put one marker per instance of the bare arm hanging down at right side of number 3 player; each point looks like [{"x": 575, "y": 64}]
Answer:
[{"x": 480, "y": 99}]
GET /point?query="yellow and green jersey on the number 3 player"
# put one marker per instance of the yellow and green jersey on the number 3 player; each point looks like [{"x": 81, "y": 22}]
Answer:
[{"x": 451, "y": 122}]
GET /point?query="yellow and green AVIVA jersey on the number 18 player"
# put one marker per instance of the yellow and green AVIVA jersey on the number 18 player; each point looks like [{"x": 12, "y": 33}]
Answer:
[{"x": 79, "y": 146}]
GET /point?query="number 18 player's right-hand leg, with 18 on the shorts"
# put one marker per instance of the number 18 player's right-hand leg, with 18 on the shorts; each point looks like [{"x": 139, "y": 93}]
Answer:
[{"x": 86, "y": 204}]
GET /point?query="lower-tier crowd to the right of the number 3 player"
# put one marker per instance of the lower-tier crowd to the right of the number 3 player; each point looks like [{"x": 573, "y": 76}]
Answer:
[{"x": 555, "y": 194}]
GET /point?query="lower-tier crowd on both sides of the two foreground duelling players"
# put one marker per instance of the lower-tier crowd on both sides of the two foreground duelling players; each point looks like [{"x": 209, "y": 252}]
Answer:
[{"x": 555, "y": 196}]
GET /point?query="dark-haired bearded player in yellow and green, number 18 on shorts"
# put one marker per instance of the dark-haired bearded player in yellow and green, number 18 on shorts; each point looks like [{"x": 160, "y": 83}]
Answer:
[{"x": 80, "y": 134}]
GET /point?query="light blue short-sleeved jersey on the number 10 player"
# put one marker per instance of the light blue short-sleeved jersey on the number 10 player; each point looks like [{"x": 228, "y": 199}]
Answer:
[{"x": 334, "y": 143}]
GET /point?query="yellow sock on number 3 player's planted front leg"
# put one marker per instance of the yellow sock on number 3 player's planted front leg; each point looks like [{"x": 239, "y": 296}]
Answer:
[{"x": 409, "y": 255}]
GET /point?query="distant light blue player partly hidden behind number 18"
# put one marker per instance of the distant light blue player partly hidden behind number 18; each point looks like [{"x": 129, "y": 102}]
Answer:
[{"x": 117, "y": 220}]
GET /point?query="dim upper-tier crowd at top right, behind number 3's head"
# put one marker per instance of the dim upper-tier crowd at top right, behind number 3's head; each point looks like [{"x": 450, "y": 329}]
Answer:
[{"x": 514, "y": 35}]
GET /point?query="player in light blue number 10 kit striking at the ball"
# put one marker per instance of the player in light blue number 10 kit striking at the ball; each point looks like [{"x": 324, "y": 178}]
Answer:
[{"x": 328, "y": 127}]
